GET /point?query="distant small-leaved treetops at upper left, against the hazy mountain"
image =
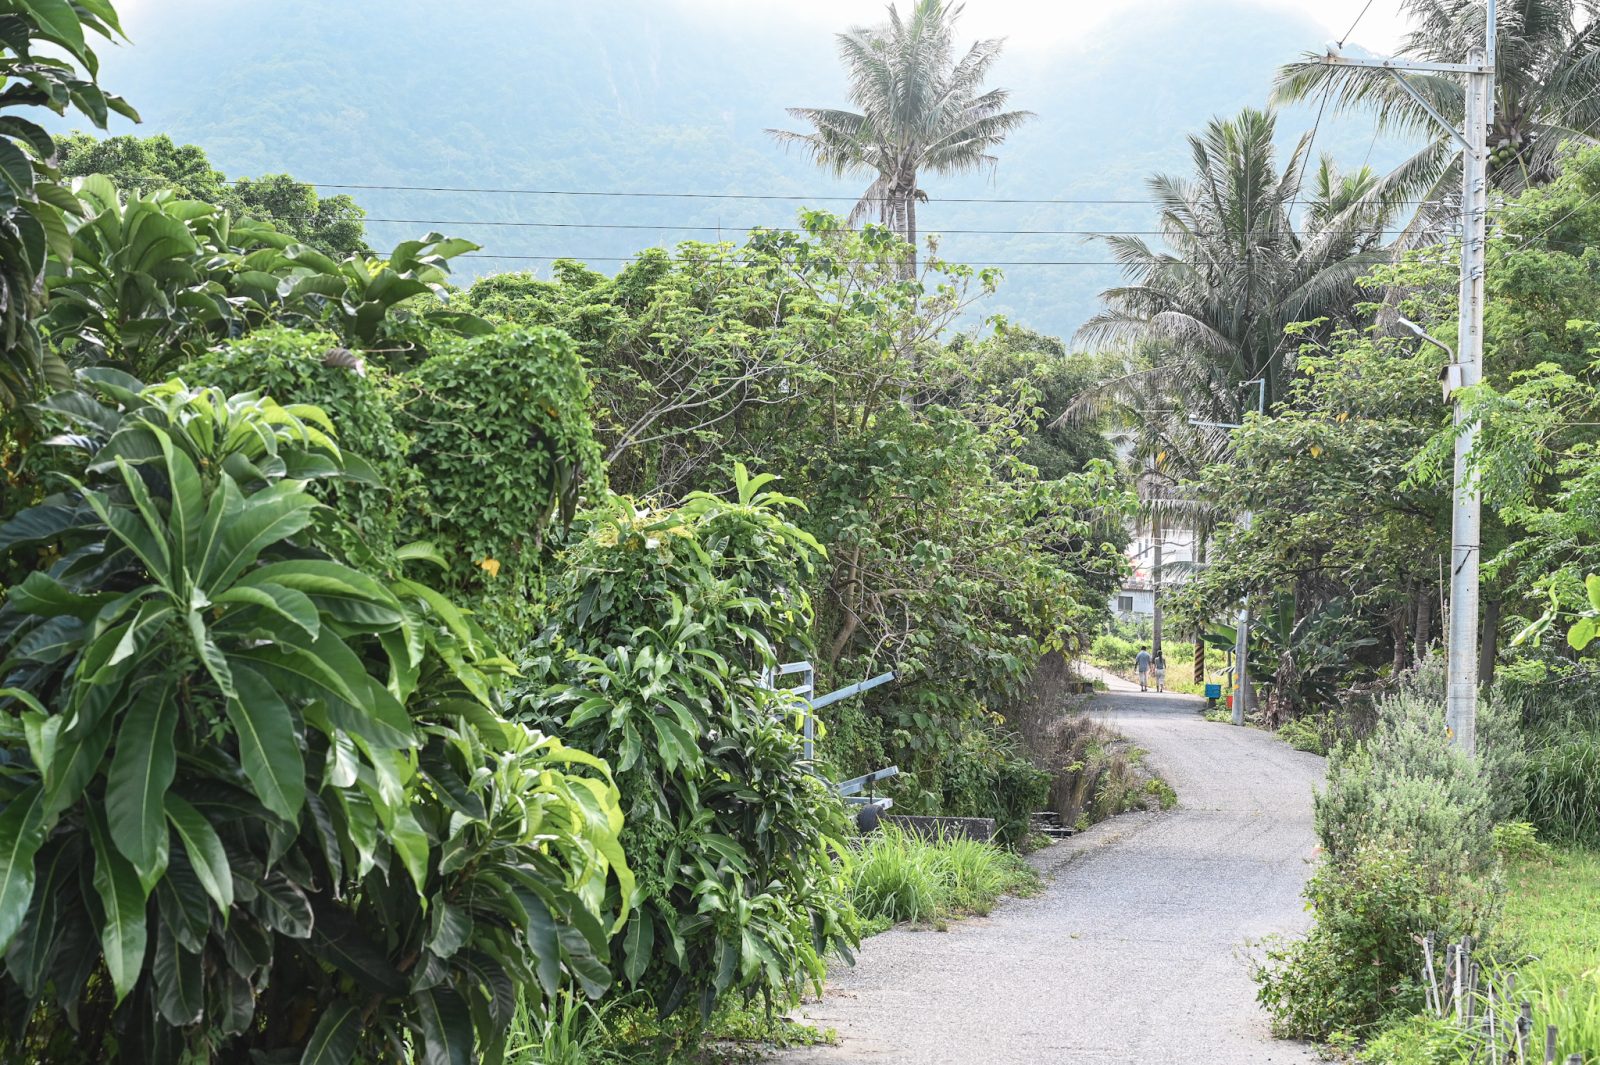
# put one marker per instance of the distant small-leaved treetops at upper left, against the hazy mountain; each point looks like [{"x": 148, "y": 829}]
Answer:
[{"x": 146, "y": 166}]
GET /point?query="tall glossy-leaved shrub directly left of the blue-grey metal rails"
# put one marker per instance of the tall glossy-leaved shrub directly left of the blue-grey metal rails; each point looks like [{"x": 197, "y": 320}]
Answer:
[{"x": 662, "y": 628}]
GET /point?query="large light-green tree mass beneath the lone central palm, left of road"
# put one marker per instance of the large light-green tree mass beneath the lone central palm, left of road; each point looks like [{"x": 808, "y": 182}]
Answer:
[{"x": 950, "y": 559}]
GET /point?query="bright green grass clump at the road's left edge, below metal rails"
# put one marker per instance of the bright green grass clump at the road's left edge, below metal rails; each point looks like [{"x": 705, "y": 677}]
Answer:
[{"x": 902, "y": 877}]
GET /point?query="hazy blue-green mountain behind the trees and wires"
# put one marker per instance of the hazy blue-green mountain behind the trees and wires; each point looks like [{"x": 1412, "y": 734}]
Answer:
[{"x": 663, "y": 97}]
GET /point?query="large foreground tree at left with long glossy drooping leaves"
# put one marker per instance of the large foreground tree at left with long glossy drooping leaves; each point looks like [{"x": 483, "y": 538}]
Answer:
[{"x": 255, "y": 800}]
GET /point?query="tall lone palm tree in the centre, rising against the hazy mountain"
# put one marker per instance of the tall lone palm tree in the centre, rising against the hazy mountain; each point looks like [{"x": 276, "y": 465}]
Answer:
[{"x": 919, "y": 108}]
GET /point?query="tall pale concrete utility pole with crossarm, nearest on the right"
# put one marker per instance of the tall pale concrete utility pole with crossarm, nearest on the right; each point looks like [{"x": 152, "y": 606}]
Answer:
[{"x": 1462, "y": 679}]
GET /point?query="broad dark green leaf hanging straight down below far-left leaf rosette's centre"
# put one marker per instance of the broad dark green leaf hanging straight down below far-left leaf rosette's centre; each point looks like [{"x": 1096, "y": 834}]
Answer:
[{"x": 142, "y": 770}]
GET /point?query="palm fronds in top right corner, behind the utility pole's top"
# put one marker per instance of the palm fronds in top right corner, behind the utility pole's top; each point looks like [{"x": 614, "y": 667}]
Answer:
[{"x": 1546, "y": 94}]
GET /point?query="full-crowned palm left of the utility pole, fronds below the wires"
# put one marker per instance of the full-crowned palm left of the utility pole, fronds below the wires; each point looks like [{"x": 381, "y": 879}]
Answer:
[{"x": 1209, "y": 313}]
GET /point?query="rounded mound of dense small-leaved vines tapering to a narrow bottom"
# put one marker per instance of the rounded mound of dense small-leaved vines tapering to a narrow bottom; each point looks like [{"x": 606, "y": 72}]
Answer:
[{"x": 505, "y": 449}]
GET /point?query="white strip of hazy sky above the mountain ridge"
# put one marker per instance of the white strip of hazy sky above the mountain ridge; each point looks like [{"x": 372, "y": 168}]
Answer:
[{"x": 1042, "y": 25}]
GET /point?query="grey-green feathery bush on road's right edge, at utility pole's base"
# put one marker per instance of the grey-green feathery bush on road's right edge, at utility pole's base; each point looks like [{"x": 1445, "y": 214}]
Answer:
[{"x": 1407, "y": 839}]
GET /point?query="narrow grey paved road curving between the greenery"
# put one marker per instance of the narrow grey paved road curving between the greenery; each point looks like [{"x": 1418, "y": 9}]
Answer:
[{"x": 1135, "y": 951}]
